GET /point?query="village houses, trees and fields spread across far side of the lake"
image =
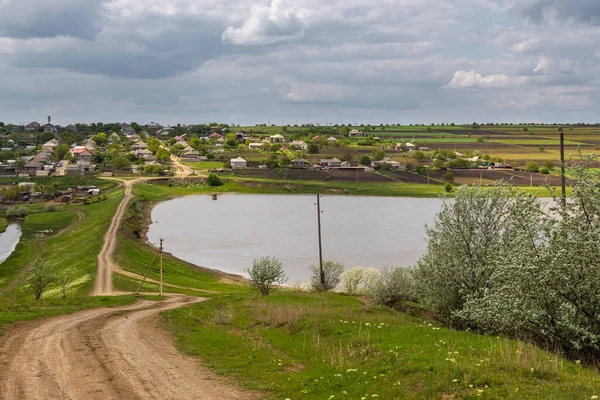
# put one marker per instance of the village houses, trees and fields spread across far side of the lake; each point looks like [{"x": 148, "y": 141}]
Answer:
[{"x": 391, "y": 154}]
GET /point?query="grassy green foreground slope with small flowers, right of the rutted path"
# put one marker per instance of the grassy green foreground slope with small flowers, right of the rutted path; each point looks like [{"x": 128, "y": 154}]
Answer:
[{"x": 312, "y": 346}]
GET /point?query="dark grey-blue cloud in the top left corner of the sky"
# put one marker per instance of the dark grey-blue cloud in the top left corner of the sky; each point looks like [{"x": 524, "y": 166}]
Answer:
[{"x": 50, "y": 18}]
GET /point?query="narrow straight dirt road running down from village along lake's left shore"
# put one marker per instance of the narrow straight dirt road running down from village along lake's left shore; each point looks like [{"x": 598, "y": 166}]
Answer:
[{"x": 103, "y": 285}]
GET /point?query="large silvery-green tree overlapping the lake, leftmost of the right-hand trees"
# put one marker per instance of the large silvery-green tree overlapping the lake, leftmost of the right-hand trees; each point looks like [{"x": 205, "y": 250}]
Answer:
[{"x": 468, "y": 239}]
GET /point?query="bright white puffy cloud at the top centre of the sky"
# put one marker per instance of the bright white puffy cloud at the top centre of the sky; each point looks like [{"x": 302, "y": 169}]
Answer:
[{"x": 279, "y": 22}]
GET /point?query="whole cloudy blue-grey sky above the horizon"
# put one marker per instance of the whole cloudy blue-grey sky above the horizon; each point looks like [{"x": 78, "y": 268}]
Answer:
[{"x": 300, "y": 61}]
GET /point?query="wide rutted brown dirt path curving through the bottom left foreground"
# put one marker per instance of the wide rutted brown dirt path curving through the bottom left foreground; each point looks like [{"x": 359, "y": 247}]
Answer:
[{"x": 117, "y": 353}]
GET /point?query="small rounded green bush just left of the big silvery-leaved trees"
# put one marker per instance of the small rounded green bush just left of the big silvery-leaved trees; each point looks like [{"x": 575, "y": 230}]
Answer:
[{"x": 392, "y": 287}]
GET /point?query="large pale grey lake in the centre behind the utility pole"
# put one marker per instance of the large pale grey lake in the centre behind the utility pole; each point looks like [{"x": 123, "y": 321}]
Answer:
[{"x": 229, "y": 233}]
